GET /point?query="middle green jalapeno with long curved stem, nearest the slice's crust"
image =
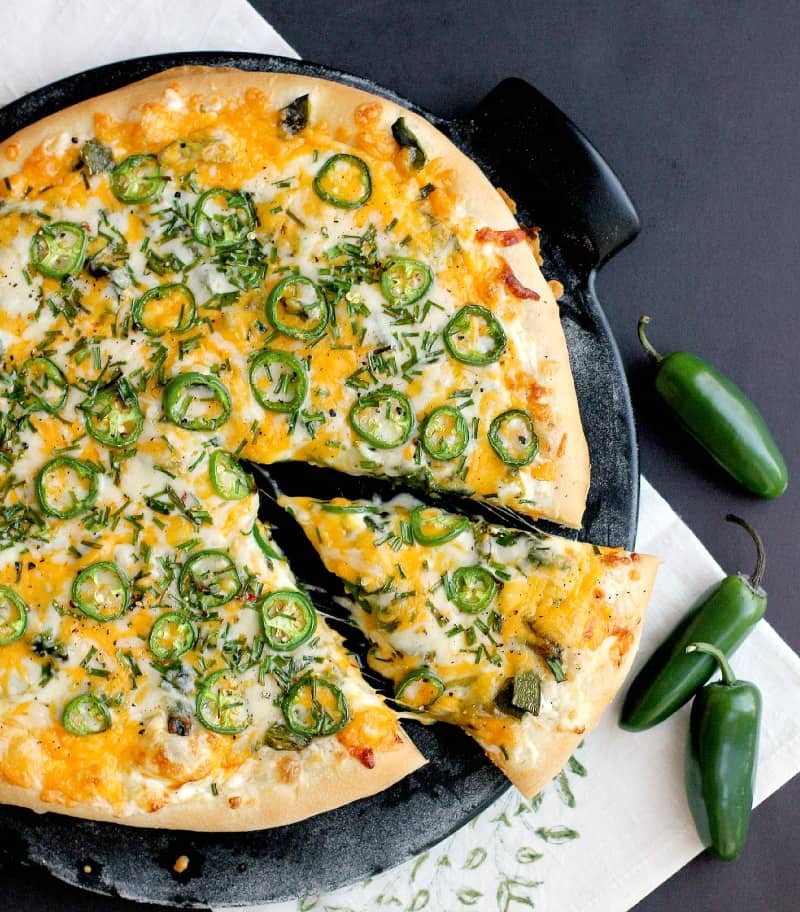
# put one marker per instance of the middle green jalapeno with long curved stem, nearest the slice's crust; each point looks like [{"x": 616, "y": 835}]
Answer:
[{"x": 724, "y": 618}]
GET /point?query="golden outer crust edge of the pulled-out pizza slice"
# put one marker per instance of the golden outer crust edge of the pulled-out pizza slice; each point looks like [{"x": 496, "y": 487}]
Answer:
[{"x": 555, "y": 748}]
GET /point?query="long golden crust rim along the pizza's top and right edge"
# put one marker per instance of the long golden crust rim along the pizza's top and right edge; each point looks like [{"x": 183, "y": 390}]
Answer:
[{"x": 480, "y": 200}]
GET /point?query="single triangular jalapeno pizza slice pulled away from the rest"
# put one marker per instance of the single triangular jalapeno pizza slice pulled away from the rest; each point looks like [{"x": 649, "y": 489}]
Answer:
[{"x": 521, "y": 639}]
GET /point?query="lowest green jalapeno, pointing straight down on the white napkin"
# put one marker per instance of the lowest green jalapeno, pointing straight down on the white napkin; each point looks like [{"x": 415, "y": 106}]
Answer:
[{"x": 721, "y": 756}]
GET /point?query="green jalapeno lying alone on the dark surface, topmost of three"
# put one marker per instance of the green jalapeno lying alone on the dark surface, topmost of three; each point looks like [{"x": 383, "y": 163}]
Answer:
[{"x": 721, "y": 418}]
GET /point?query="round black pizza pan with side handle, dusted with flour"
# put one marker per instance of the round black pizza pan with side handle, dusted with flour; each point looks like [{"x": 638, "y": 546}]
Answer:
[{"x": 530, "y": 149}]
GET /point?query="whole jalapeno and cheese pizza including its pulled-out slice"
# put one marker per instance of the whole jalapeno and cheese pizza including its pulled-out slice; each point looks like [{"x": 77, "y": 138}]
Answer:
[{"x": 212, "y": 266}]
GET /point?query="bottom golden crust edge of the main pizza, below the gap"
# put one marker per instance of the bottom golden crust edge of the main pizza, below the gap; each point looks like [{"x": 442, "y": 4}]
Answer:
[{"x": 332, "y": 782}]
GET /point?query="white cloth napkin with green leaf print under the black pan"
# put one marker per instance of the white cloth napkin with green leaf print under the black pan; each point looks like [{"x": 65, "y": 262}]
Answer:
[{"x": 615, "y": 824}]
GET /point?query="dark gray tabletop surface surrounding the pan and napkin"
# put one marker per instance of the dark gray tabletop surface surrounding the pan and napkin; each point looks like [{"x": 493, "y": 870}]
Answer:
[{"x": 697, "y": 107}]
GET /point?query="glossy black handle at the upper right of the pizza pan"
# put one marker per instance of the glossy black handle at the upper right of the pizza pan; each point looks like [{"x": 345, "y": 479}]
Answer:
[{"x": 543, "y": 161}]
